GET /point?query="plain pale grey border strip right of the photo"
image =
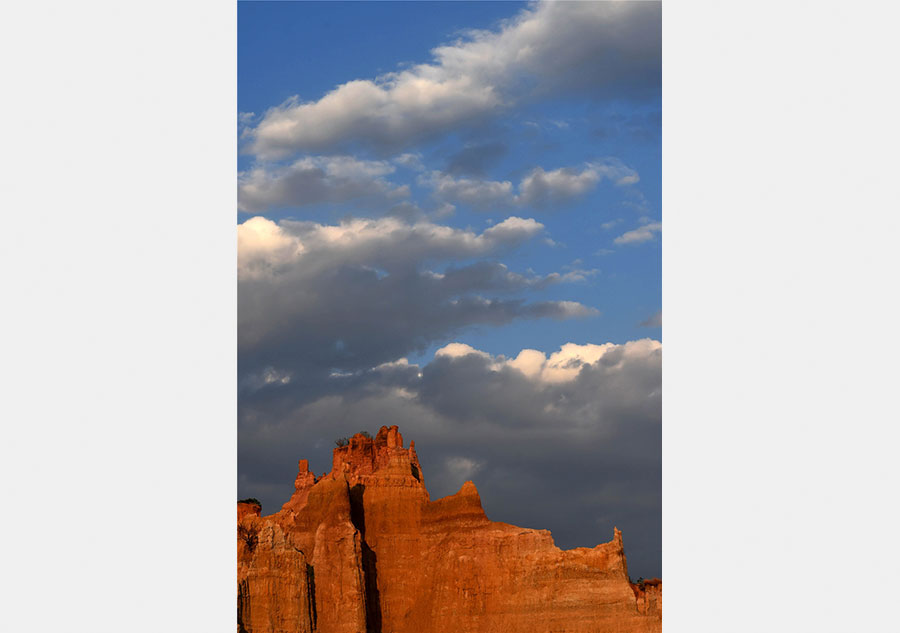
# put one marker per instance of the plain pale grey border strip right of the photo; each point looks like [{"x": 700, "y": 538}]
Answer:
[{"x": 780, "y": 302}]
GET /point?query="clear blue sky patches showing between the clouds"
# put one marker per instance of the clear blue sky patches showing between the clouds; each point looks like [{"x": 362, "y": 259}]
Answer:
[{"x": 307, "y": 49}]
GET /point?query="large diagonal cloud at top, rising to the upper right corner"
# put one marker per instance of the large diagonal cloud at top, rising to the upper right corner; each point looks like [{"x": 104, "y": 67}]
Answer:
[{"x": 600, "y": 49}]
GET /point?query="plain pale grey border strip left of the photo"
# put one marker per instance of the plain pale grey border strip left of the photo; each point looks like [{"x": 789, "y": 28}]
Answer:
[{"x": 118, "y": 318}]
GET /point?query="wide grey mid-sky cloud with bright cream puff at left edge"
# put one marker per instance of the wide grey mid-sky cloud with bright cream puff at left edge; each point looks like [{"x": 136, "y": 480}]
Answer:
[{"x": 315, "y": 297}]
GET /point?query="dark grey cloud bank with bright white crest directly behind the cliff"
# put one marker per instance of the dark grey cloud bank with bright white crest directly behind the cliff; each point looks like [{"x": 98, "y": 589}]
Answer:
[{"x": 545, "y": 437}]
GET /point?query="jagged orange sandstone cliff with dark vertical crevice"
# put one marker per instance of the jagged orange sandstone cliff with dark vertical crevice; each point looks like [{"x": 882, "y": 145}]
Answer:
[{"x": 362, "y": 549}]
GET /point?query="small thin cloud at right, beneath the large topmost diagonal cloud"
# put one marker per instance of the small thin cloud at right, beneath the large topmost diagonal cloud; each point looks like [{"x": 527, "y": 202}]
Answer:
[{"x": 539, "y": 188}]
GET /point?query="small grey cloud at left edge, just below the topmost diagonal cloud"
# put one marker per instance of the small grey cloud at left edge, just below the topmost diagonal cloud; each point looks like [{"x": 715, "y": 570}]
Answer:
[{"x": 314, "y": 180}]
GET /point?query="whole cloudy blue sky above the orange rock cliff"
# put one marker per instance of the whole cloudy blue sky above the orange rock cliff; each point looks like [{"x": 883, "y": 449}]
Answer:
[{"x": 449, "y": 219}]
